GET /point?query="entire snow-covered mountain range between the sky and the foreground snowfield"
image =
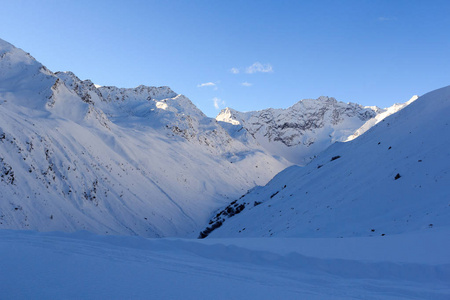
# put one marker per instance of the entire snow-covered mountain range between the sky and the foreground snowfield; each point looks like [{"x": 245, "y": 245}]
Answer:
[{"x": 146, "y": 161}]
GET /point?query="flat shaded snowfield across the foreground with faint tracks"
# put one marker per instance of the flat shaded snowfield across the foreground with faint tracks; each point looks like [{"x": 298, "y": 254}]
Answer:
[{"x": 87, "y": 266}]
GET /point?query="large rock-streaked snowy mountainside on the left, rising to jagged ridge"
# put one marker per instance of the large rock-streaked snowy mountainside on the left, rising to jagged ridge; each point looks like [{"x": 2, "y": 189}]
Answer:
[{"x": 140, "y": 161}]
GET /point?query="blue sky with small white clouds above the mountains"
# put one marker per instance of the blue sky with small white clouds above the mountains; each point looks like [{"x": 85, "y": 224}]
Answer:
[{"x": 247, "y": 55}]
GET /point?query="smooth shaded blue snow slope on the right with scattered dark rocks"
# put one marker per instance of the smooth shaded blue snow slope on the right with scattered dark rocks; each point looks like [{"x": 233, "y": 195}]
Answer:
[{"x": 393, "y": 179}]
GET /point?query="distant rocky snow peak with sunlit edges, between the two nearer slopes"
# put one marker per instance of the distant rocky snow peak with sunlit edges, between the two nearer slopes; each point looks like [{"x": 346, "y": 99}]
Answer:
[{"x": 303, "y": 130}]
